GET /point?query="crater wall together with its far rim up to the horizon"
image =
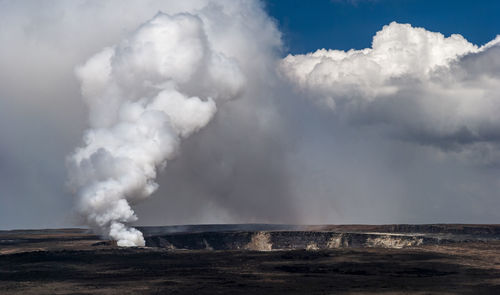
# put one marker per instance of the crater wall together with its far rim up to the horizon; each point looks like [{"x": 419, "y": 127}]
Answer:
[{"x": 234, "y": 237}]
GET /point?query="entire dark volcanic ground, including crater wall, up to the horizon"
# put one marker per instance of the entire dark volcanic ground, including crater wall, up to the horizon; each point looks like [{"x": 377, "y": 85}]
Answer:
[{"x": 256, "y": 259}]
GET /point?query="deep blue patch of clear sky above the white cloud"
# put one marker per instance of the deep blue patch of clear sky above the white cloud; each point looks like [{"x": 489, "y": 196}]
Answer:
[{"x": 344, "y": 24}]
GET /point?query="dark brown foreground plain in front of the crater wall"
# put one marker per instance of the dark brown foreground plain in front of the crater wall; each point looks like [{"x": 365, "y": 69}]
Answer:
[{"x": 75, "y": 262}]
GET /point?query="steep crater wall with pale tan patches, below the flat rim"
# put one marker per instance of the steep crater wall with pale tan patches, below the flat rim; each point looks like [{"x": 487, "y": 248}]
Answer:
[{"x": 299, "y": 240}]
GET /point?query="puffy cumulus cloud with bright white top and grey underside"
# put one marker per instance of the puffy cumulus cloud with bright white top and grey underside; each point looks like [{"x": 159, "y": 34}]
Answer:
[{"x": 425, "y": 87}]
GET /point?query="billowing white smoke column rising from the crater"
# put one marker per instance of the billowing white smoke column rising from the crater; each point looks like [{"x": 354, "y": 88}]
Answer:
[{"x": 145, "y": 94}]
